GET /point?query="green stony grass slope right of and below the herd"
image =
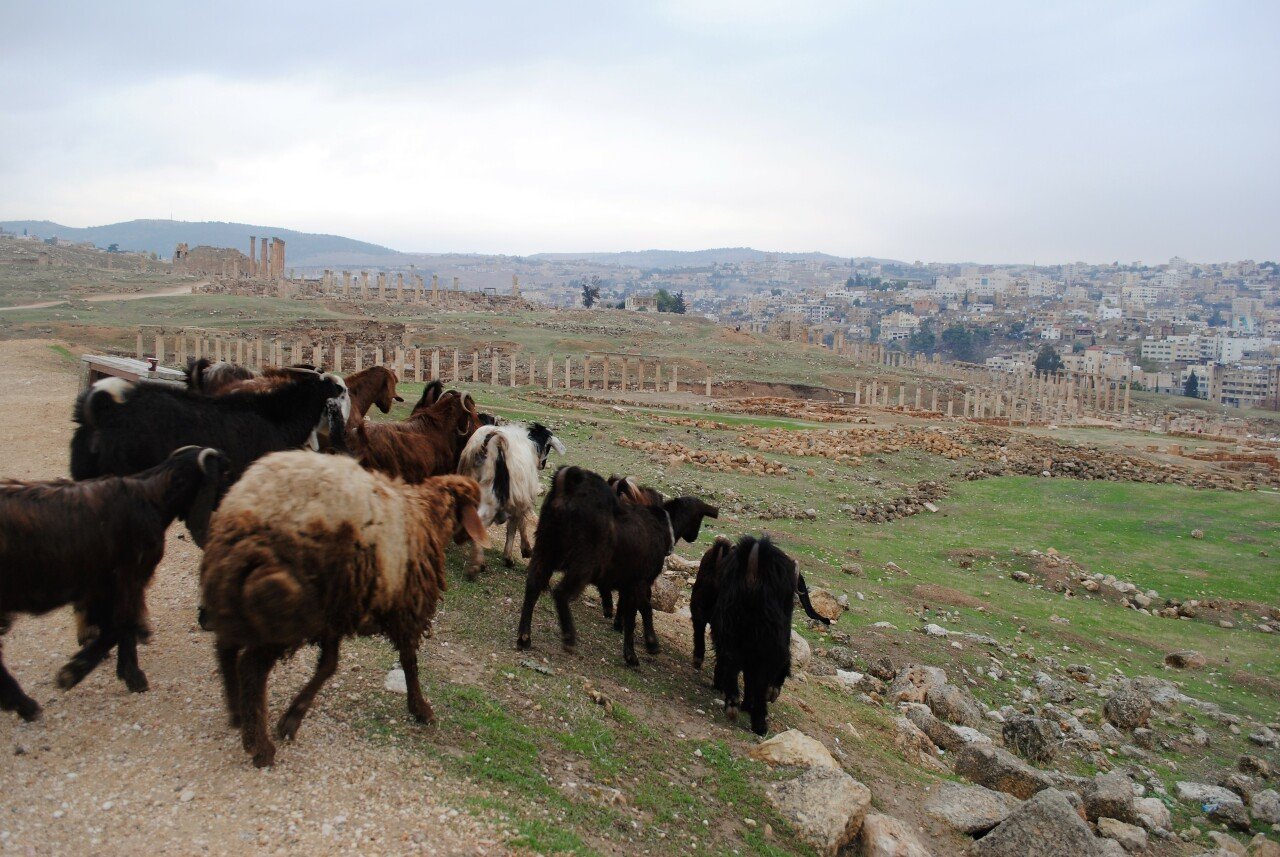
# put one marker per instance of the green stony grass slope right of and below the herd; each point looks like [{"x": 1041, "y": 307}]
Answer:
[{"x": 662, "y": 772}]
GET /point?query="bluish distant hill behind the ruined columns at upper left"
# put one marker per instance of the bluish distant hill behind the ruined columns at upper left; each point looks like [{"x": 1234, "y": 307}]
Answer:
[{"x": 303, "y": 250}]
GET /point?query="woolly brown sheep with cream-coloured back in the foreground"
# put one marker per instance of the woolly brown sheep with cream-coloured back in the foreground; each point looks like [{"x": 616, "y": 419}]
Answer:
[{"x": 314, "y": 549}]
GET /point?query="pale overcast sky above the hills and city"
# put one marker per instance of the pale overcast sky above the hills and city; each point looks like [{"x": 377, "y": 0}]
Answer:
[{"x": 985, "y": 132}]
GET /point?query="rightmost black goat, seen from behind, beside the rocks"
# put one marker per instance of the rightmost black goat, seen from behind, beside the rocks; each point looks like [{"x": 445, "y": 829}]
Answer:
[{"x": 756, "y": 586}]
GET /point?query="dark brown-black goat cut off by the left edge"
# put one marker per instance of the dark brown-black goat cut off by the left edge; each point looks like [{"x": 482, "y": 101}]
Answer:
[{"x": 97, "y": 544}]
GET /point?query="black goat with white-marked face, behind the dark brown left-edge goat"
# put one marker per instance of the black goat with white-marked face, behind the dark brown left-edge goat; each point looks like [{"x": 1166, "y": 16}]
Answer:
[{"x": 129, "y": 428}]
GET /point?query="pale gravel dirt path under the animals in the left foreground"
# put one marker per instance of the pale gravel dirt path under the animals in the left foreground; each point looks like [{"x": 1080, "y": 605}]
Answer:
[{"x": 112, "y": 773}]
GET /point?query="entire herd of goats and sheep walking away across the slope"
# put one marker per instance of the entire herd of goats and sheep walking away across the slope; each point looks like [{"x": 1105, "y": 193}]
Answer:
[{"x": 318, "y": 525}]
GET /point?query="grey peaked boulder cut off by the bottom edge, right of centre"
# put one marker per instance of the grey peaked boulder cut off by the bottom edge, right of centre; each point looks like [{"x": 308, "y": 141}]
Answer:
[{"x": 1044, "y": 827}]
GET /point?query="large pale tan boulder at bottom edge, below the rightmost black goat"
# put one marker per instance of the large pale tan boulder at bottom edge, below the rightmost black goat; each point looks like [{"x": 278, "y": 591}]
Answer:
[{"x": 825, "y": 805}]
